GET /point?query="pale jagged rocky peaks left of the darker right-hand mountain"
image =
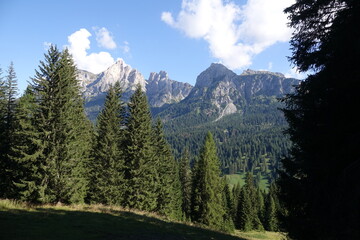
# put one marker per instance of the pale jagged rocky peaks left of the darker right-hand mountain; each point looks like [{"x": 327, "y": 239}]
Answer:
[{"x": 159, "y": 88}]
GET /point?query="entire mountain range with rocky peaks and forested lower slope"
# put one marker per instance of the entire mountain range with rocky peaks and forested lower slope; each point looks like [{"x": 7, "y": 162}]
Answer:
[{"x": 240, "y": 110}]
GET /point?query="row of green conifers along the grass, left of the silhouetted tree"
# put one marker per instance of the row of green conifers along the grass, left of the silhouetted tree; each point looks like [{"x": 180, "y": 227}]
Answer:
[{"x": 51, "y": 153}]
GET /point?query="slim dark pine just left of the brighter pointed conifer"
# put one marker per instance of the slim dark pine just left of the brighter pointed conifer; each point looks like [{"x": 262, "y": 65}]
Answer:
[{"x": 185, "y": 180}]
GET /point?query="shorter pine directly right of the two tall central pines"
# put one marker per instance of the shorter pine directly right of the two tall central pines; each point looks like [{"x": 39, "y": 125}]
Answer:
[{"x": 169, "y": 194}]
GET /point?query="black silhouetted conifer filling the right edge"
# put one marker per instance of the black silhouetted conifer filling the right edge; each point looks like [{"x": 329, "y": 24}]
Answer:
[{"x": 317, "y": 186}]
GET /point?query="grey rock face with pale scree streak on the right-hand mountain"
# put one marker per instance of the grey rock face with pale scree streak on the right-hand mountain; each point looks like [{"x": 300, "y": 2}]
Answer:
[{"x": 226, "y": 91}]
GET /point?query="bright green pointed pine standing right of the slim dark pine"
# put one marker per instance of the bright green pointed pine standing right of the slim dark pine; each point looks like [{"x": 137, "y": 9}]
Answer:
[{"x": 208, "y": 207}]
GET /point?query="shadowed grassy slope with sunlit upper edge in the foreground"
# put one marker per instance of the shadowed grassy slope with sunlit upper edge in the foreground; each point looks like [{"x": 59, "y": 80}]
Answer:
[{"x": 21, "y": 221}]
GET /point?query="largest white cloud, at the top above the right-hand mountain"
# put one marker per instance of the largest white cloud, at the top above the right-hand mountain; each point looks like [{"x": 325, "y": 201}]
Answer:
[{"x": 235, "y": 34}]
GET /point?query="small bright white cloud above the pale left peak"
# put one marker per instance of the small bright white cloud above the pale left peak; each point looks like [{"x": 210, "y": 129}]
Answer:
[{"x": 79, "y": 43}]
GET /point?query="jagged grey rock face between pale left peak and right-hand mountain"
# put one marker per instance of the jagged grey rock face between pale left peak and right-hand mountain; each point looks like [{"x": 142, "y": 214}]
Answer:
[{"x": 161, "y": 90}]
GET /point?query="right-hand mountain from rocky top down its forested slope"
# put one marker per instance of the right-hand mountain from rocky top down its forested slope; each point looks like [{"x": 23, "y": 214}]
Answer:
[{"x": 242, "y": 113}]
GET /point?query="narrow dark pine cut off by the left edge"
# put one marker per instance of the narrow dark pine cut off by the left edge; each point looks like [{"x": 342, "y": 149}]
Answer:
[{"x": 8, "y": 104}]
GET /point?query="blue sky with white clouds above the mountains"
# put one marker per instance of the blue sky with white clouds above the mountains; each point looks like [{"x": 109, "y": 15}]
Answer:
[{"x": 181, "y": 37}]
